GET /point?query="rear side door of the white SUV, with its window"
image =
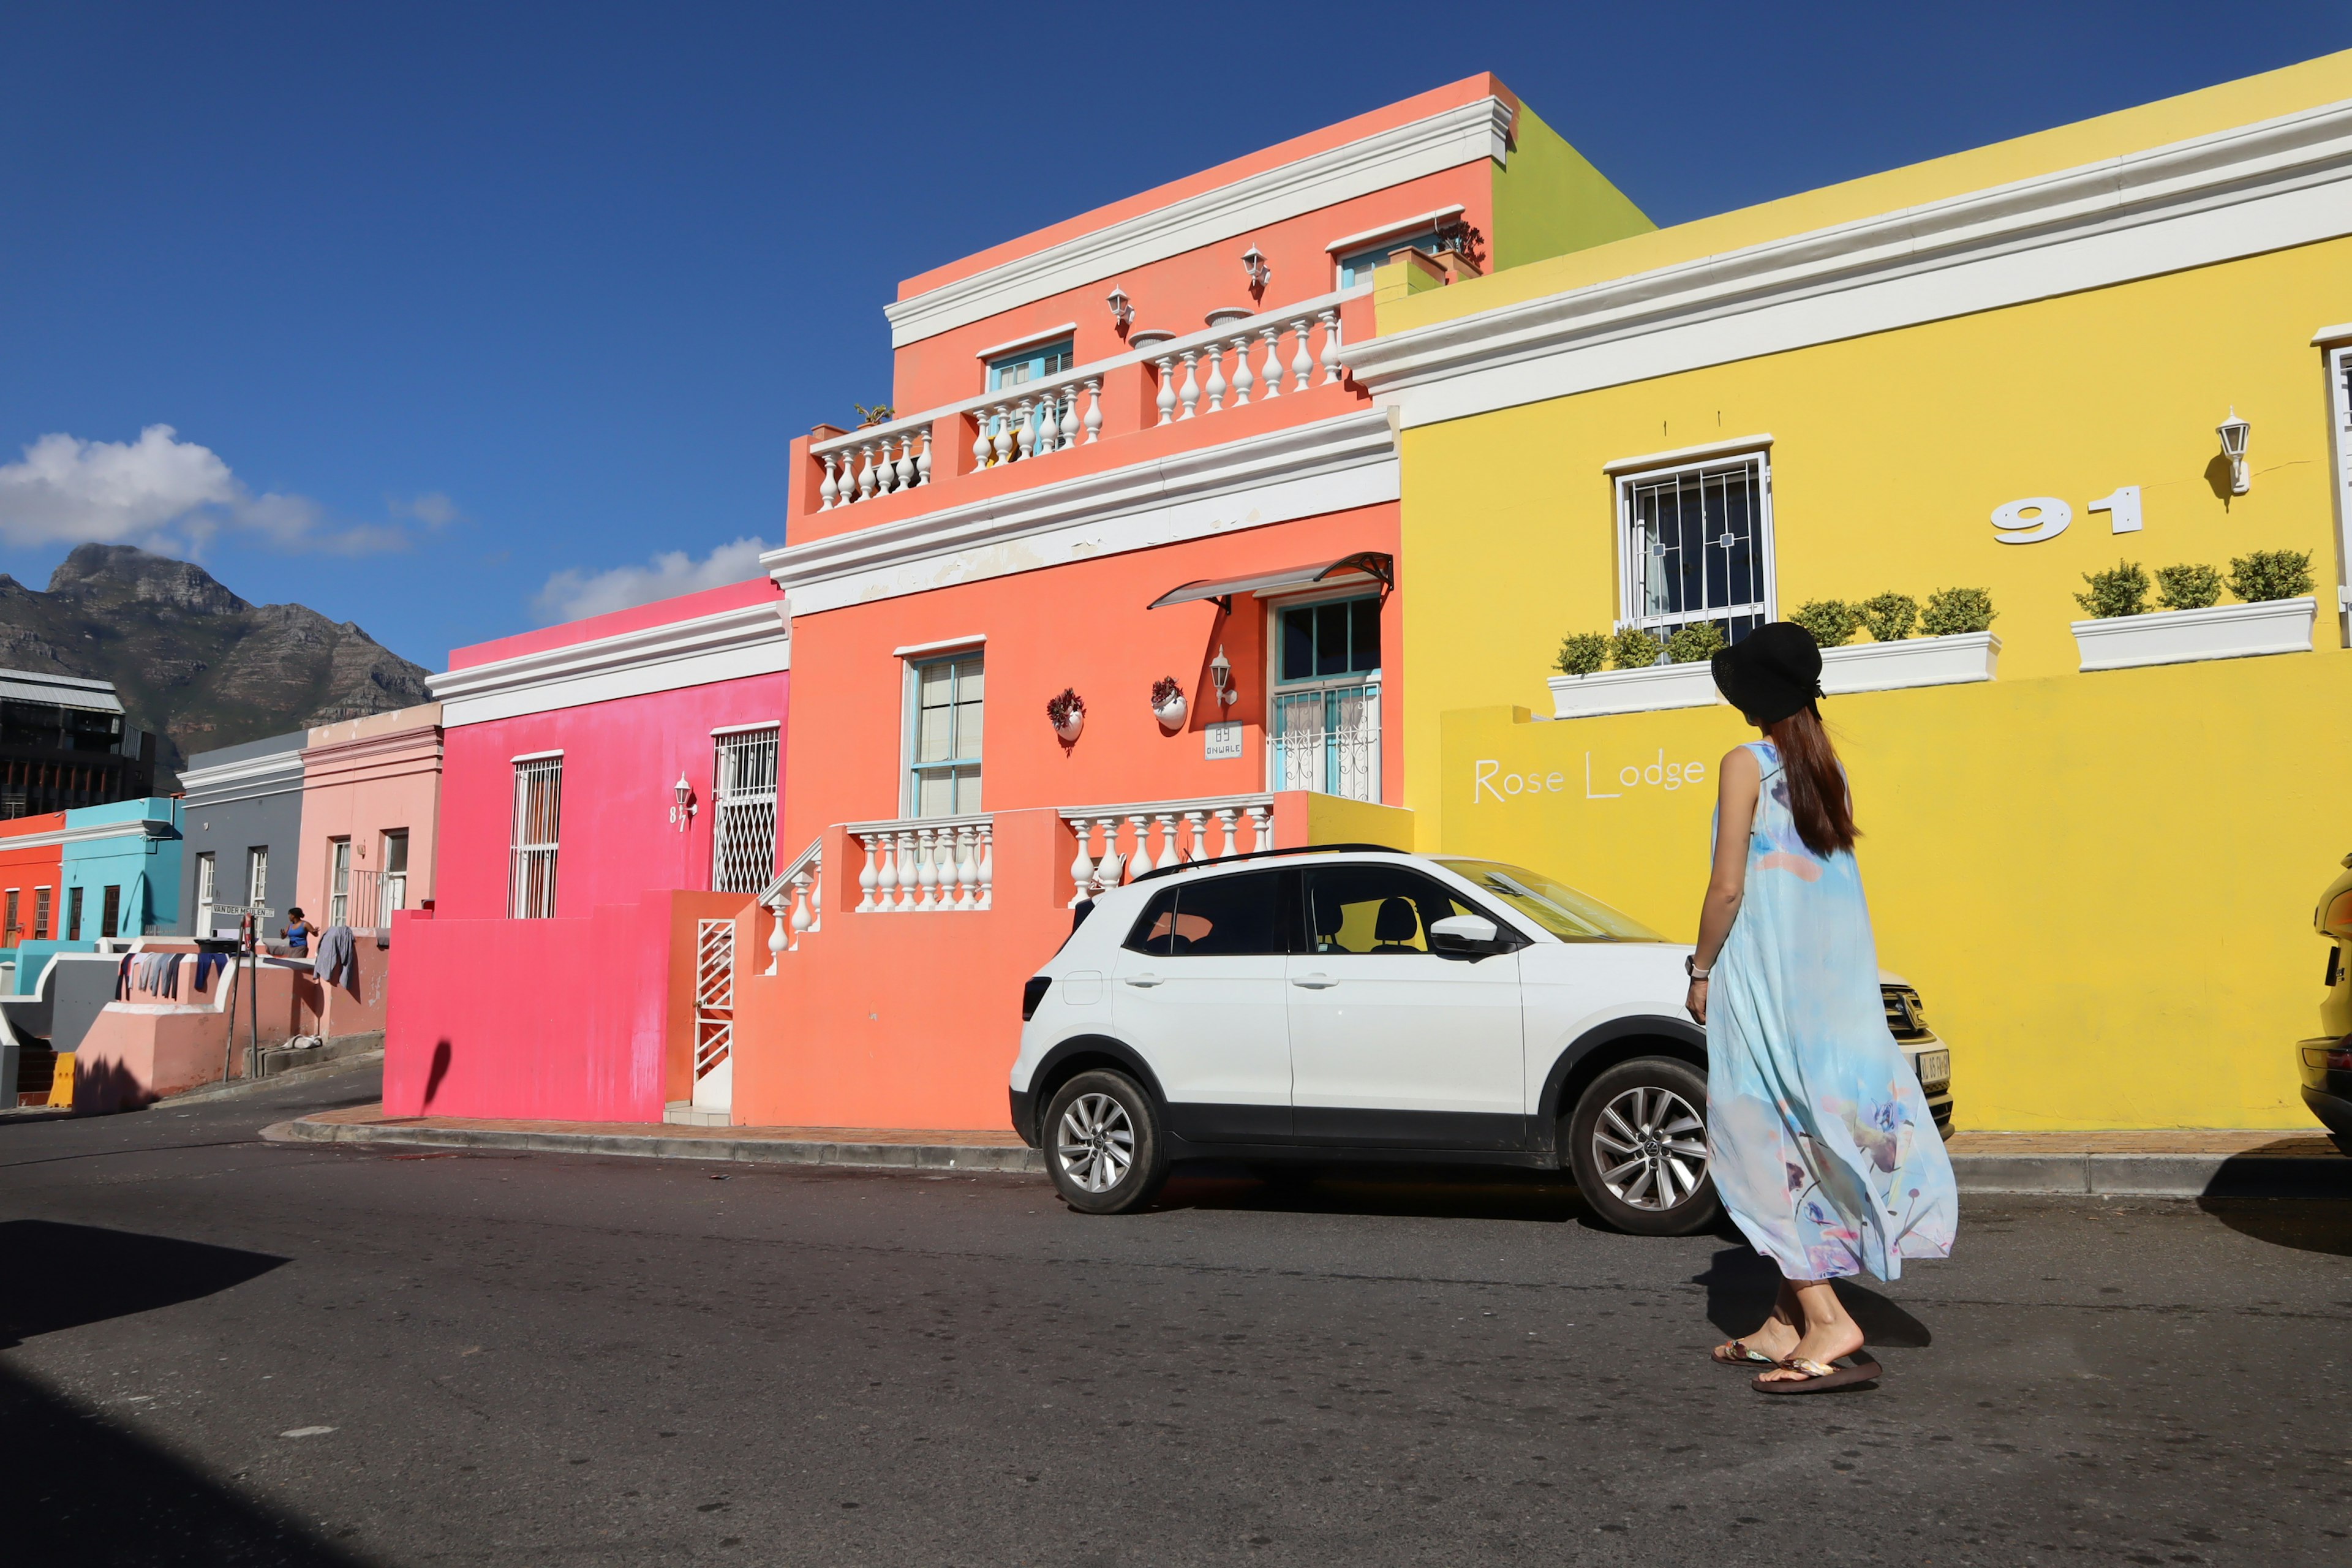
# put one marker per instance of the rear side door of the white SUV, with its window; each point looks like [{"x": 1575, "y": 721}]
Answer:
[{"x": 1201, "y": 993}]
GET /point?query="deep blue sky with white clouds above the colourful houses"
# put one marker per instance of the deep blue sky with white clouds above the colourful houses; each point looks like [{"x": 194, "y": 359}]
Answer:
[{"x": 462, "y": 316}]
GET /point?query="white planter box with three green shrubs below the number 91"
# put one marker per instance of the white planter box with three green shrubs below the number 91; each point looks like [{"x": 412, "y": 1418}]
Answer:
[{"x": 2273, "y": 617}]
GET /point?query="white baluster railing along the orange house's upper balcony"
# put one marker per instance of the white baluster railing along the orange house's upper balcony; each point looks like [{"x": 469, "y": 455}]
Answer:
[{"x": 1043, "y": 417}]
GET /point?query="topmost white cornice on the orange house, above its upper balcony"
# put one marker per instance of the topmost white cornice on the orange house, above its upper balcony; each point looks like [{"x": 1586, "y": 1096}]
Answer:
[{"x": 1302, "y": 187}]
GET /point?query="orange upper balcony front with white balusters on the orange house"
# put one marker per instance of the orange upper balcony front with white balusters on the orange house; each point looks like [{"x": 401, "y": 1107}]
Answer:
[{"x": 1245, "y": 373}]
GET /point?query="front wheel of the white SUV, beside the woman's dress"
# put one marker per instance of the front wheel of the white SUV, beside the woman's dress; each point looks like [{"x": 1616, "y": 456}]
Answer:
[{"x": 1638, "y": 1148}]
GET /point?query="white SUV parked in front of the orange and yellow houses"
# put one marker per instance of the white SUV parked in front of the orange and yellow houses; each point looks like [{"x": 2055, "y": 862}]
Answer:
[{"x": 1358, "y": 1003}]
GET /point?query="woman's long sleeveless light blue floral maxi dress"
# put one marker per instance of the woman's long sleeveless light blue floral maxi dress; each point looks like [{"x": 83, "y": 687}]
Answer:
[{"x": 1819, "y": 1137}]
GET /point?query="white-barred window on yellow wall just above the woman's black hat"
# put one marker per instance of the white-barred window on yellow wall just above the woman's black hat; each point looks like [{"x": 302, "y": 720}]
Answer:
[{"x": 1697, "y": 547}]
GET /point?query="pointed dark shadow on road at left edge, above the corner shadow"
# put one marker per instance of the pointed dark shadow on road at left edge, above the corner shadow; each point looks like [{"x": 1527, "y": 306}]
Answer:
[{"x": 72, "y": 1275}]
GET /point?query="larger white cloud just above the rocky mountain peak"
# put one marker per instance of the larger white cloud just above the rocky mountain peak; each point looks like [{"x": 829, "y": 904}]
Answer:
[{"x": 163, "y": 495}]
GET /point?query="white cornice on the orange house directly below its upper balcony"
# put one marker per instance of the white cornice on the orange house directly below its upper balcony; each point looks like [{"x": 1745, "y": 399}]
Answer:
[{"x": 1304, "y": 471}]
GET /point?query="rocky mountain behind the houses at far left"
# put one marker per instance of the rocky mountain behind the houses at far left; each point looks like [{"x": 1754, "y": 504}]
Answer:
[{"x": 192, "y": 659}]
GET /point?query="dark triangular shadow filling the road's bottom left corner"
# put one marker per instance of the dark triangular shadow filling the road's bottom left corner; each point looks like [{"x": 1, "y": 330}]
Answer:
[{"x": 83, "y": 1492}]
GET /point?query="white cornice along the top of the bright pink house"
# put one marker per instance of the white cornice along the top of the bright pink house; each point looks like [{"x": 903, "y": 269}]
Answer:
[{"x": 728, "y": 645}]
